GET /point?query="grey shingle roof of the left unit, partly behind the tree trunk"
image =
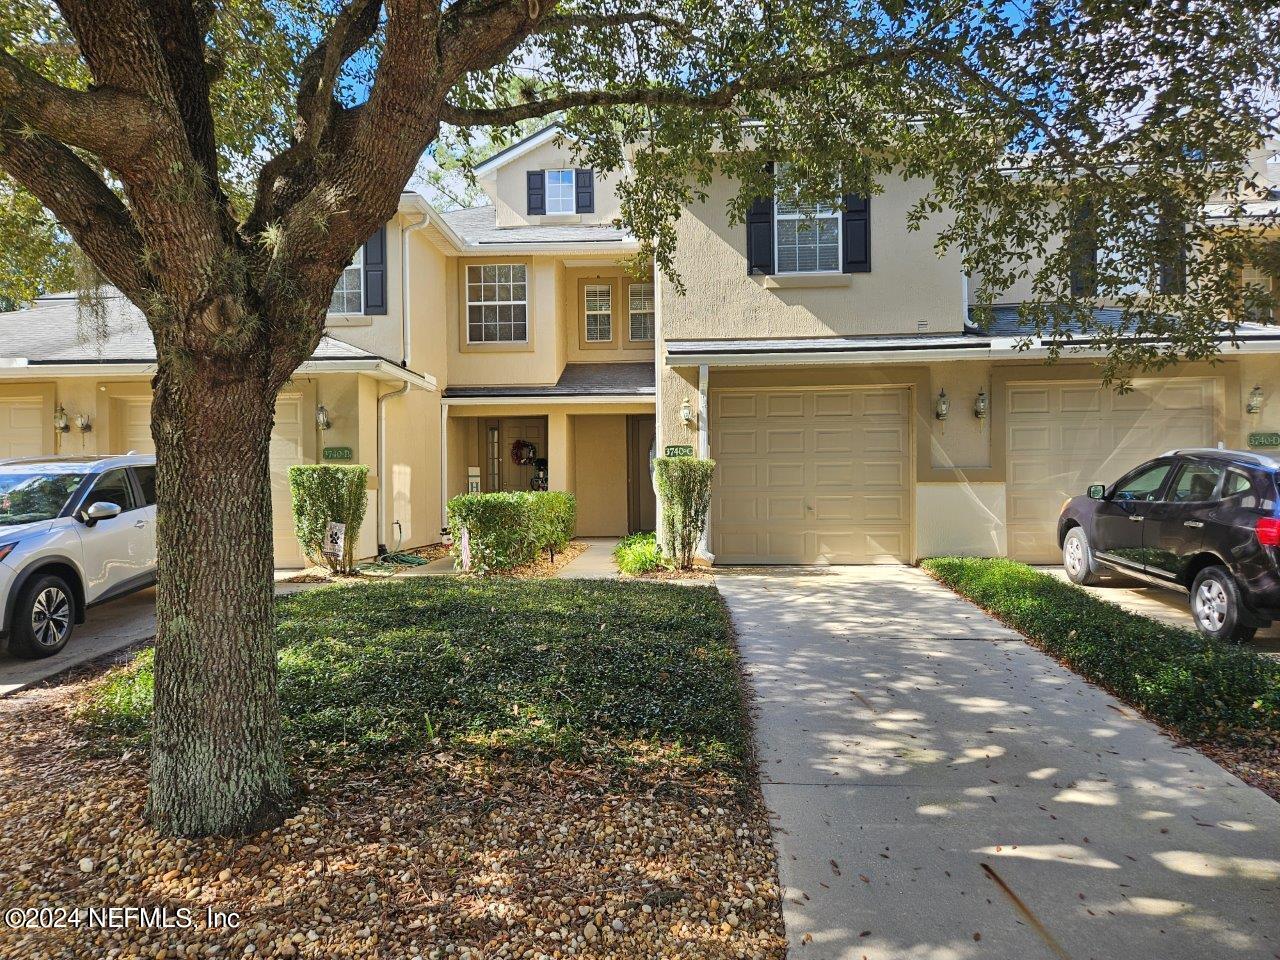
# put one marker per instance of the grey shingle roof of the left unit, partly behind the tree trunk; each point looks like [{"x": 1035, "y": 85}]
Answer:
[{"x": 58, "y": 330}]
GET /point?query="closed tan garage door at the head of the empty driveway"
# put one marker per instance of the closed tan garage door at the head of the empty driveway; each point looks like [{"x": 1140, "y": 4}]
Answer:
[{"x": 812, "y": 477}]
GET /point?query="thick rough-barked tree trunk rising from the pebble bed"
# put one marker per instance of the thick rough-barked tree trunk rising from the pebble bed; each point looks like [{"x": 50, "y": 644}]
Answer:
[{"x": 218, "y": 767}]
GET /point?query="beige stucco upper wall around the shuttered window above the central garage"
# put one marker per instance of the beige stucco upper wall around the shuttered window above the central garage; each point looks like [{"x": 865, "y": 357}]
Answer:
[{"x": 908, "y": 284}]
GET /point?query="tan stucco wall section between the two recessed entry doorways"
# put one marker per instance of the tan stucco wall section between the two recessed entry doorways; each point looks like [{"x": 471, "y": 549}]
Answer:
[{"x": 601, "y": 476}]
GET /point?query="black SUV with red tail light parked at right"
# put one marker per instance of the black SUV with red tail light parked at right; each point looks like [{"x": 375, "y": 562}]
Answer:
[{"x": 1205, "y": 522}]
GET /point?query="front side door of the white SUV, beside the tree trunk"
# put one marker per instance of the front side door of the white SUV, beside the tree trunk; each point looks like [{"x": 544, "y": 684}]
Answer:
[{"x": 120, "y": 550}]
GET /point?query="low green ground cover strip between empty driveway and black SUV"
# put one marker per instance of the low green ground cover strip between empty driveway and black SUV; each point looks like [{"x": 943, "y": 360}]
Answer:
[{"x": 1178, "y": 678}]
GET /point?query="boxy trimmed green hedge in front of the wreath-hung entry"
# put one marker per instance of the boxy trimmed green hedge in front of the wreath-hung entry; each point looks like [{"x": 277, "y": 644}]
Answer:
[{"x": 510, "y": 529}]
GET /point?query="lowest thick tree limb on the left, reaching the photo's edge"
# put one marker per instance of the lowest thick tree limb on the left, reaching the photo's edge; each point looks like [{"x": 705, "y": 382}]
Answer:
[{"x": 97, "y": 218}]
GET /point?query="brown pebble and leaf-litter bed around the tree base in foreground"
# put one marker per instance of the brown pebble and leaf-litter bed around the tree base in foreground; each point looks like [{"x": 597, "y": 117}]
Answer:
[{"x": 437, "y": 856}]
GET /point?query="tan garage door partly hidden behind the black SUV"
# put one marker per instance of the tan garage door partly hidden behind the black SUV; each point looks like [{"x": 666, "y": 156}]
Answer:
[{"x": 1063, "y": 437}]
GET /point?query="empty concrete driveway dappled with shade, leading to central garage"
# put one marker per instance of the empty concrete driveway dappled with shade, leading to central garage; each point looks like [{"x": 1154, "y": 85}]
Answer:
[{"x": 943, "y": 790}]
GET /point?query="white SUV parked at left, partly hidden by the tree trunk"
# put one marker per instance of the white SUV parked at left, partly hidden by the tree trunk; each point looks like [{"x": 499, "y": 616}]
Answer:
[{"x": 74, "y": 533}]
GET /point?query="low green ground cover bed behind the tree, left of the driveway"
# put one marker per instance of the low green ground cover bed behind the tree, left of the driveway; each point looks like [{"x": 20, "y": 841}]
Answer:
[{"x": 628, "y": 673}]
